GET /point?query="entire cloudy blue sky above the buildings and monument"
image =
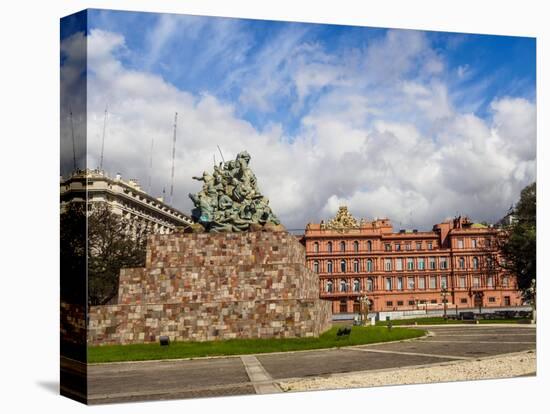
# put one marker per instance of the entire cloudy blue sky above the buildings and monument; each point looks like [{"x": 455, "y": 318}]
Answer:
[{"x": 410, "y": 125}]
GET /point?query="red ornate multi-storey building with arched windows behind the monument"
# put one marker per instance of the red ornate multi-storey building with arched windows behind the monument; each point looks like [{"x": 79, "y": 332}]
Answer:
[{"x": 407, "y": 270}]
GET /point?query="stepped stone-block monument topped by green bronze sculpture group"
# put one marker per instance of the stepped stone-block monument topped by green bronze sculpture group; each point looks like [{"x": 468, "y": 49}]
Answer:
[{"x": 237, "y": 274}]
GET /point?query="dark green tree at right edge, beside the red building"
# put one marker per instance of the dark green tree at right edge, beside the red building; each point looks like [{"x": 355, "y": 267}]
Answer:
[{"x": 519, "y": 247}]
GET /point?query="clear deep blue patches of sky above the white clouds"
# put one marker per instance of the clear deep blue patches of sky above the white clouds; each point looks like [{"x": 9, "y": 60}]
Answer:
[{"x": 493, "y": 66}]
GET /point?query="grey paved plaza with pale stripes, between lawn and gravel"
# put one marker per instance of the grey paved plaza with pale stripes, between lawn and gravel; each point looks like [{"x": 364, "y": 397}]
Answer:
[{"x": 261, "y": 373}]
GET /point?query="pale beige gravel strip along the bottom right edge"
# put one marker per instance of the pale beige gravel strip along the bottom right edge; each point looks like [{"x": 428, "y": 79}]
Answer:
[{"x": 503, "y": 366}]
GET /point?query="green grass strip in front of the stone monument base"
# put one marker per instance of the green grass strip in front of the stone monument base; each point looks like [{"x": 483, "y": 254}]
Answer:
[{"x": 141, "y": 352}]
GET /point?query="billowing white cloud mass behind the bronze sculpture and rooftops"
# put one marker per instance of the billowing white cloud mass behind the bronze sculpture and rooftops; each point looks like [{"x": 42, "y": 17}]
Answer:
[{"x": 400, "y": 150}]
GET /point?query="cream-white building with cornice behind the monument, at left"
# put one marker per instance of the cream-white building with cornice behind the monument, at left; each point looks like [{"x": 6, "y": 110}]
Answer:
[{"x": 125, "y": 198}]
